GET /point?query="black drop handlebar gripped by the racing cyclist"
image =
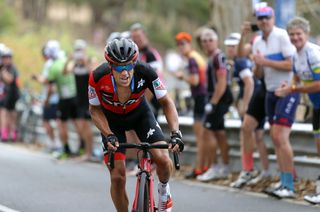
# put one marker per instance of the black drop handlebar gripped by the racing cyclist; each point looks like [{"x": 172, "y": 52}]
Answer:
[{"x": 145, "y": 147}]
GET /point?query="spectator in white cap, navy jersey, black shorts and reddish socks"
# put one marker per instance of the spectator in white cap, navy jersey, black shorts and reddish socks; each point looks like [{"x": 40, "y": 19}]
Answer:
[{"x": 251, "y": 109}]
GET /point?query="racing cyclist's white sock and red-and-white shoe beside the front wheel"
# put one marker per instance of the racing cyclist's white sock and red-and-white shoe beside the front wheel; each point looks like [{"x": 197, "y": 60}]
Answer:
[{"x": 165, "y": 199}]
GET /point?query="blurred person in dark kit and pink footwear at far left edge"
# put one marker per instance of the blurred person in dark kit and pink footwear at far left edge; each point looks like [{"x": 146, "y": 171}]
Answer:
[{"x": 9, "y": 76}]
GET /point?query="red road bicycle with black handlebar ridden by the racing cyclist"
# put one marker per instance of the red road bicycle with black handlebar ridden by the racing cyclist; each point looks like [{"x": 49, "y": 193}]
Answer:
[{"x": 144, "y": 199}]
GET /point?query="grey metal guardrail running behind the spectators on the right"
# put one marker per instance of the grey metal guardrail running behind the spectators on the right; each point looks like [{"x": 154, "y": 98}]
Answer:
[{"x": 306, "y": 161}]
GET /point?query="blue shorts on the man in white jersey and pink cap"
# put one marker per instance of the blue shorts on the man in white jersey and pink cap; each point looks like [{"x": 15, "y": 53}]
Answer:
[{"x": 281, "y": 110}]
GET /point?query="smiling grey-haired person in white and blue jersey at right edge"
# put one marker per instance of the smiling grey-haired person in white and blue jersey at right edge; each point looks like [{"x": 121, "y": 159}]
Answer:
[{"x": 306, "y": 68}]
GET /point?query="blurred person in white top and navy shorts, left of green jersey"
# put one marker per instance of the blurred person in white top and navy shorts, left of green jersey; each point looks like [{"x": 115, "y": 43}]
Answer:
[{"x": 50, "y": 110}]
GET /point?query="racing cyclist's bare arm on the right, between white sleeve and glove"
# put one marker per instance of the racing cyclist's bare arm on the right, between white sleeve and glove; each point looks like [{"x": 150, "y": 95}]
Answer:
[{"x": 170, "y": 112}]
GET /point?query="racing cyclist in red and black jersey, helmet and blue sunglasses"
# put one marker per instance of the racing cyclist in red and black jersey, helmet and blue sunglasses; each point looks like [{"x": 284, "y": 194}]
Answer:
[{"x": 117, "y": 104}]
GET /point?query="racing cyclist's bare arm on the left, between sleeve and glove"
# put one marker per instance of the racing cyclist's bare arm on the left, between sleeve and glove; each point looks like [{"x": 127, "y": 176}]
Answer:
[{"x": 99, "y": 119}]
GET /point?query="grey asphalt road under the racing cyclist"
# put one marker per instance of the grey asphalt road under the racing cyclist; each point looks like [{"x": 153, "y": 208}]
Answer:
[{"x": 31, "y": 181}]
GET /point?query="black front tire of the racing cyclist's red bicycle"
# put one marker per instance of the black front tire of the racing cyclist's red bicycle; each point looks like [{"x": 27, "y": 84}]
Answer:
[{"x": 143, "y": 196}]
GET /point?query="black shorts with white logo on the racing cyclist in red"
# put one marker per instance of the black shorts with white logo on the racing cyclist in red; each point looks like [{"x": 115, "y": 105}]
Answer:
[{"x": 141, "y": 120}]
